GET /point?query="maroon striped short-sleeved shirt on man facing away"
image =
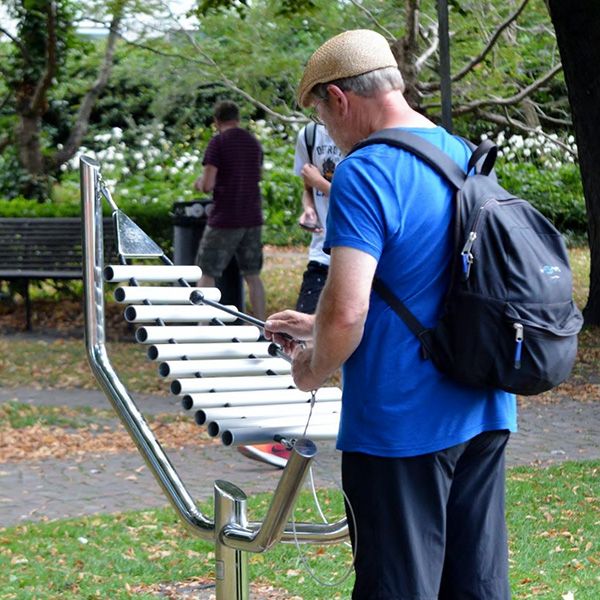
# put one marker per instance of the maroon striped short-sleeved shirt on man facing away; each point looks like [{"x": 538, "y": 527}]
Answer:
[{"x": 238, "y": 156}]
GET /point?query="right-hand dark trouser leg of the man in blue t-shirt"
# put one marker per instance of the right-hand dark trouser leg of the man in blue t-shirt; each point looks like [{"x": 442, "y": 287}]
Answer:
[{"x": 476, "y": 562}]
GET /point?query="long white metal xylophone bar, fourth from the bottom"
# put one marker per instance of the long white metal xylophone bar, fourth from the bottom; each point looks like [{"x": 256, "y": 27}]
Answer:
[{"x": 258, "y": 397}]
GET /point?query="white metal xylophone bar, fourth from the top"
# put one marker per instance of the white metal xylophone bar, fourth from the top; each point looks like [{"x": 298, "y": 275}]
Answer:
[{"x": 156, "y": 334}]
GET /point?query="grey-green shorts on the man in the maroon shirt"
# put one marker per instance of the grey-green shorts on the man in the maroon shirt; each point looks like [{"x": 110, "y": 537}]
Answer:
[{"x": 219, "y": 246}]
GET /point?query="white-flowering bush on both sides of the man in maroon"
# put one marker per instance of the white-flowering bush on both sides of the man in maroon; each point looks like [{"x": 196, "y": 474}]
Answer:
[{"x": 148, "y": 173}]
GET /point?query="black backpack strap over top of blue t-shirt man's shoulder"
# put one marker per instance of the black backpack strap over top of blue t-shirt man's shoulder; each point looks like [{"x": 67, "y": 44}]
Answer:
[{"x": 437, "y": 159}]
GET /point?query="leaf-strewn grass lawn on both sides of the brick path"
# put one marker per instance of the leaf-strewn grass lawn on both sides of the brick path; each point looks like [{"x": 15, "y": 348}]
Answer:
[{"x": 553, "y": 513}]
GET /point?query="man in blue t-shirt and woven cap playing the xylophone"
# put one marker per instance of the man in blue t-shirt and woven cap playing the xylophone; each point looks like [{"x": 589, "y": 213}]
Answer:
[{"x": 423, "y": 456}]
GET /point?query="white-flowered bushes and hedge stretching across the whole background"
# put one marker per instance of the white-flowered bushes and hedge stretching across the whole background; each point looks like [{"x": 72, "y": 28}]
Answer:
[{"x": 147, "y": 180}]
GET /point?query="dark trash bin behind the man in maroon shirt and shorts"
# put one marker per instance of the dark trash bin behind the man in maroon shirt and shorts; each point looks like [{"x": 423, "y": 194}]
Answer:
[{"x": 189, "y": 221}]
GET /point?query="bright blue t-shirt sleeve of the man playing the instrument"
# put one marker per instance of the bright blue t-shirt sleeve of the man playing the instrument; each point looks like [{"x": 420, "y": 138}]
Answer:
[{"x": 356, "y": 211}]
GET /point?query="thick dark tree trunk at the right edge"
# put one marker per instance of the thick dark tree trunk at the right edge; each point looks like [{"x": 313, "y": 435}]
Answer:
[{"x": 577, "y": 26}]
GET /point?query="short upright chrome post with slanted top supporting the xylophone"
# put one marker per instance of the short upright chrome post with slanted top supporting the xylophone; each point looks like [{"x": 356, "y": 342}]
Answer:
[{"x": 231, "y": 565}]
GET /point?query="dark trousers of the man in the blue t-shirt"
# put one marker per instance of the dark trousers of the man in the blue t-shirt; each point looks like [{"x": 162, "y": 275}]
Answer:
[{"x": 430, "y": 527}]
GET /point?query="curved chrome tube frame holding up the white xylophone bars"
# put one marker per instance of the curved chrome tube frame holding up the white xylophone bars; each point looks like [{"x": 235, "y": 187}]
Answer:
[{"x": 253, "y": 537}]
